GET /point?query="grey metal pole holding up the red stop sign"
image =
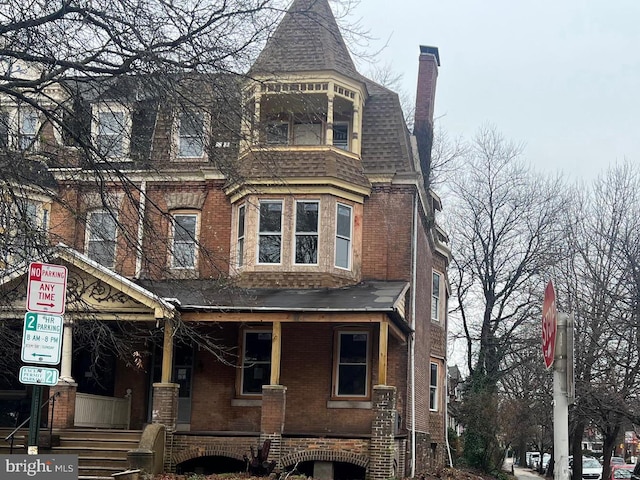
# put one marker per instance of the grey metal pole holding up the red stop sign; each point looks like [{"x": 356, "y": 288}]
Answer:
[{"x": 560, "y": 403}]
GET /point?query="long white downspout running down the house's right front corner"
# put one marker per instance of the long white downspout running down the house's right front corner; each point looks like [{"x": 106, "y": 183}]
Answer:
[{"x": 412, "y": 347}]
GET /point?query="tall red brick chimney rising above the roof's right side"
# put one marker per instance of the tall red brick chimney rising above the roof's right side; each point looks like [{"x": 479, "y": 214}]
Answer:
[{"x": 425, "y": 100}]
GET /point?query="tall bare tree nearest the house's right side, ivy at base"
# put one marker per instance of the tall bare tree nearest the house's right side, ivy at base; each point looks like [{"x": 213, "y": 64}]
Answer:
[{"x": 507, "y": 229}]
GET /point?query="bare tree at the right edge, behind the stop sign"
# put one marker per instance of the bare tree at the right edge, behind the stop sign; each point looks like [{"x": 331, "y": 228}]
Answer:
[{"x": 599, "y": 283}]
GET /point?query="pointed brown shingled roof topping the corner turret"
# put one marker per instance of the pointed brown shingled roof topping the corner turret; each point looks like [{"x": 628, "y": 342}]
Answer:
[{"x": 307, "y": 39}]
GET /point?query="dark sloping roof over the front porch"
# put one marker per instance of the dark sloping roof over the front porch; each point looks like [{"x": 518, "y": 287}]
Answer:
[{"x": 208, "y": 296}]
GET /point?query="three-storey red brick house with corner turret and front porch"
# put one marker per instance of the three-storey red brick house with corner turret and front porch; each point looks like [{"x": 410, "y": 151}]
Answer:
[{"x": 300, "y": 233}]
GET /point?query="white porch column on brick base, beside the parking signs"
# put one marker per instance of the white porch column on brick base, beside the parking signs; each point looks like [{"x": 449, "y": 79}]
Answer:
[{"x": 62, "y": 409}]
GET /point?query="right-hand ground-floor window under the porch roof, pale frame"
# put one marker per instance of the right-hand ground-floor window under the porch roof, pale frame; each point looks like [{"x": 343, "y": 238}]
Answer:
[{"x": 352, "y": 364}]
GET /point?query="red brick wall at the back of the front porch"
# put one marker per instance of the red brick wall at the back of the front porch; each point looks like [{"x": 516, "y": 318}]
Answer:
[{"x": 306, "y": 372}]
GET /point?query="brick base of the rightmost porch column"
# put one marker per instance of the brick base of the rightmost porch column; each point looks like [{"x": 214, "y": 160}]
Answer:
[{"x": 382, "y": 450}]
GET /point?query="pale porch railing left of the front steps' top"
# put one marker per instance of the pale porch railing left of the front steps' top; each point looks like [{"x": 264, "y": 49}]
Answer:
[{"x": 97, "y": 411}]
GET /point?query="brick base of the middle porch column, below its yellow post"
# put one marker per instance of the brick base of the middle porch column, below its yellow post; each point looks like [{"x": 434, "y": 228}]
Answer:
[{"x": 274, "y": 400}]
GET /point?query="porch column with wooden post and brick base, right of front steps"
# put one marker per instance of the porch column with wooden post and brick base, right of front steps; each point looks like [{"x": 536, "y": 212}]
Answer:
[{"x": 165, "y": 393}]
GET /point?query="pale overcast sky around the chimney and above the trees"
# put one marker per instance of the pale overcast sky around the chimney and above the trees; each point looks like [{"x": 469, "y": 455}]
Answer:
[{"x": 563, "y": 77}]
